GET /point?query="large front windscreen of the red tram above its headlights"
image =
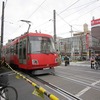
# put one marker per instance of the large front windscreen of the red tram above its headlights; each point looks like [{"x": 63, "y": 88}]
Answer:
[{"x": 41, "y": 45}]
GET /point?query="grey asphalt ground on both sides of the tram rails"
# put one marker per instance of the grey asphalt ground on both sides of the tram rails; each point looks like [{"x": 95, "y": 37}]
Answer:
[{"x": 77, "y": 79}]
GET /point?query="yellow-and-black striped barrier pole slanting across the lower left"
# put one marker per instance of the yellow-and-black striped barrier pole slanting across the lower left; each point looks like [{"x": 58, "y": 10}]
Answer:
[{"x": 40, "y": 90}]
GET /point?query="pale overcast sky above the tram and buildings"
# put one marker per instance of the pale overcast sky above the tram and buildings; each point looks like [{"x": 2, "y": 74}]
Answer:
[{"x": 40, "y": 13}]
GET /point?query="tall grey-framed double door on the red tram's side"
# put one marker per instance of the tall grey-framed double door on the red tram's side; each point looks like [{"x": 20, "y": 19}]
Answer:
[{"x": 22, "y": 51}]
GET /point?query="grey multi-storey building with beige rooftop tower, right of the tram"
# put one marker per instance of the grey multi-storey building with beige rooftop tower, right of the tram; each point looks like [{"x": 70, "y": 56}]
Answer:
[{"x": 77, "y": 46}]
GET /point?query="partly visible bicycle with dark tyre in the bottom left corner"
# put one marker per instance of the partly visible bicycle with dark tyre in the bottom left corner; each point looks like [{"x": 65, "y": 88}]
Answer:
[{"x": 7, "y": 92}]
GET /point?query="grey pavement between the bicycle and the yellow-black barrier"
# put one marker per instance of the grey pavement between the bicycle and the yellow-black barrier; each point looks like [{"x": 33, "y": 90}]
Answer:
[{"x": 24, "y": 89}]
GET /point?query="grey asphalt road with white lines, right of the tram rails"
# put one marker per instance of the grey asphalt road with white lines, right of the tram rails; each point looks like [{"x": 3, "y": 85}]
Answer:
[{"x": 78, "y": 79}]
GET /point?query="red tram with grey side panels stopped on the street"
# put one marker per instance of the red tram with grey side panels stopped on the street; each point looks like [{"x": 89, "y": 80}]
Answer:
[{"x": 32, "y": 51}]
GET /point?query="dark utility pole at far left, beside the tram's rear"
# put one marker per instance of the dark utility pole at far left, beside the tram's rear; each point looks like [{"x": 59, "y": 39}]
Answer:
[{"x": 2, "y": 27}]
